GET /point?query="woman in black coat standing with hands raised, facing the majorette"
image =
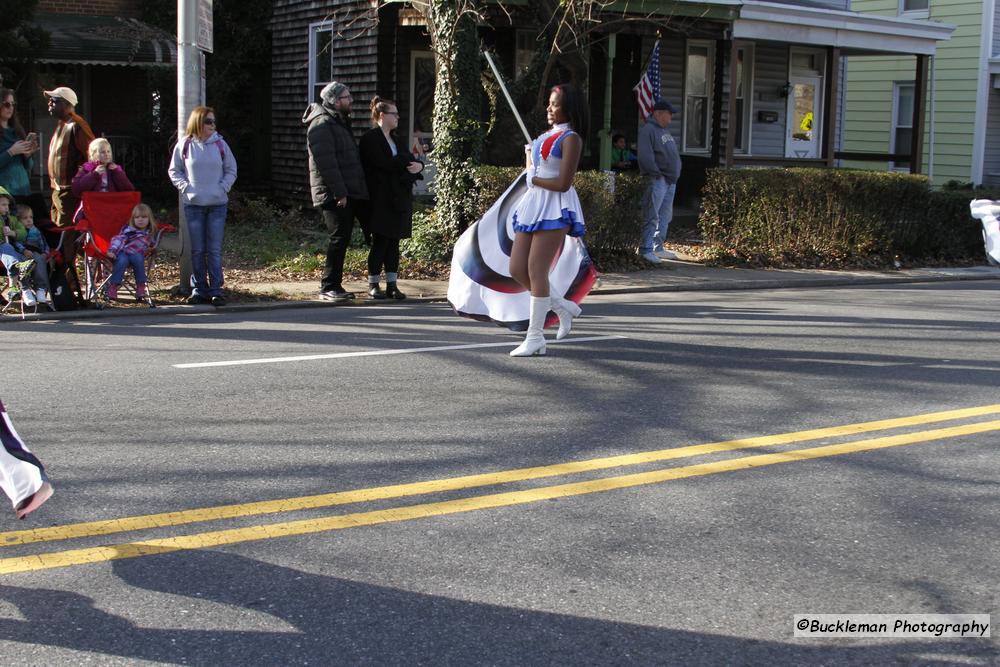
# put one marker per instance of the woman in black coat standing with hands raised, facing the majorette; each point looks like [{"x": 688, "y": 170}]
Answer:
[{"x": 390, "y": 171}]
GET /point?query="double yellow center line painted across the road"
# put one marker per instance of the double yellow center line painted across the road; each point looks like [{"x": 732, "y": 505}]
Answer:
[{"x": 236, "y": 535}]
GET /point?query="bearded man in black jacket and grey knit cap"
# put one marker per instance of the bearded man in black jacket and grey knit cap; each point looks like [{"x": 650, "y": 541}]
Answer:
[{"x": 336, "y": 179}]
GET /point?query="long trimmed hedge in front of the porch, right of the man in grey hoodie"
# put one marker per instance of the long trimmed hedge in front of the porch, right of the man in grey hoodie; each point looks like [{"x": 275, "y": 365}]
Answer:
[{"x": 833, "y": 217}]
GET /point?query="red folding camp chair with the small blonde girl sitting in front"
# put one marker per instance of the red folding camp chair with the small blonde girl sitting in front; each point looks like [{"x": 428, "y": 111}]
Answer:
[{"x": 105, "y": 213}]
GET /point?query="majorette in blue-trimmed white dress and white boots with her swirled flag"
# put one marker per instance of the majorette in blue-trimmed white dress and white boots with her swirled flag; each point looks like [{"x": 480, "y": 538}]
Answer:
[{"x": 549, "y": 267}]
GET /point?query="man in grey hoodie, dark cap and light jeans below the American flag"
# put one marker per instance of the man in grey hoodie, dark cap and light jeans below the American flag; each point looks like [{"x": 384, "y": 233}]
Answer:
[{"x": 660, "y": 165}]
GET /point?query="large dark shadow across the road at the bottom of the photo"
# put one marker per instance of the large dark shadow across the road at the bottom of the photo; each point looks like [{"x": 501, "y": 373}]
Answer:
[{"x": 337, "y": 621}]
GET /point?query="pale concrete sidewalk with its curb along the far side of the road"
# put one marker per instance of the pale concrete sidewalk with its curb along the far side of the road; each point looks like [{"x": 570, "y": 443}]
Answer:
[{"x": 671, "y": 276}]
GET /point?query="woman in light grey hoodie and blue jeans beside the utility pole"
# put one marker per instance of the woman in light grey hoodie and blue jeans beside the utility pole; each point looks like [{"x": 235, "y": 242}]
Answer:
[{"x": 203, "y": 169}]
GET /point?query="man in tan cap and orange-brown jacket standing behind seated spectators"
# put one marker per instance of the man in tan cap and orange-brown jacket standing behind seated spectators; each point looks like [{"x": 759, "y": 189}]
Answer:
[{"x": 67, "y": 151}]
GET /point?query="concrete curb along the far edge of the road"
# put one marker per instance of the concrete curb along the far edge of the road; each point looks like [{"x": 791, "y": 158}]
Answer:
[{"x": 693, "y": 285}]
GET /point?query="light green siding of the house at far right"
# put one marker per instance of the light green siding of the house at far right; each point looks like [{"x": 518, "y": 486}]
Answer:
[{"x": 952, "y": 81}]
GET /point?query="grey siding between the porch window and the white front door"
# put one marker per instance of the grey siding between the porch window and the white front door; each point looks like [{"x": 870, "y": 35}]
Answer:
[{"x": 770, "y": 76}]
